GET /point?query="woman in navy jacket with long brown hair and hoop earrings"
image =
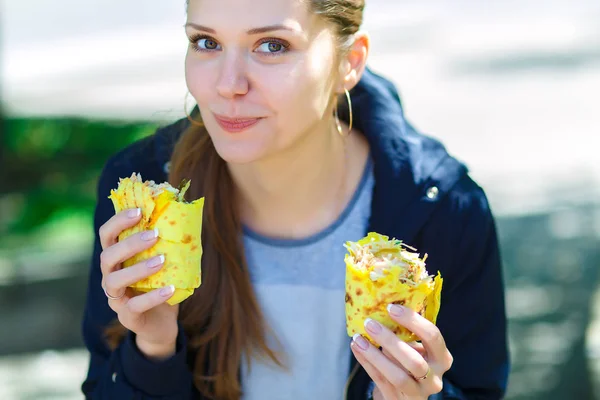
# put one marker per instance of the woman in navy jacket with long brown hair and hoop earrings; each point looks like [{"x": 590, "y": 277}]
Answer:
[{"x": 288, "y": 180}]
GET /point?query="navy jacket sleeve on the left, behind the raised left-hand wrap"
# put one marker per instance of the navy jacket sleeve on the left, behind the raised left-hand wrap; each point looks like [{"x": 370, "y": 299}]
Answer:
[{"x": 124, "y": 373}]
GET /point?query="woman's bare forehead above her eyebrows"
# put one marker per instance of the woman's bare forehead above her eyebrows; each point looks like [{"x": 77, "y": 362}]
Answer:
[{"x": 248, "y": 14}]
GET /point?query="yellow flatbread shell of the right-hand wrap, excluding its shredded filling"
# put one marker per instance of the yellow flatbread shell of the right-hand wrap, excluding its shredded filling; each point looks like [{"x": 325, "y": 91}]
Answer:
[{"x": 368, "y": 298}]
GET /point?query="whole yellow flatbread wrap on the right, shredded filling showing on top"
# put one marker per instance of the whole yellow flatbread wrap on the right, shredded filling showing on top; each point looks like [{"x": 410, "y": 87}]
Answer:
[{"x": 380, "y": 271}]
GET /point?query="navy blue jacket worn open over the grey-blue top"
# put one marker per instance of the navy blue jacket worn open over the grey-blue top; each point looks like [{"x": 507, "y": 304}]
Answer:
[{"x": 422, "y": 195}]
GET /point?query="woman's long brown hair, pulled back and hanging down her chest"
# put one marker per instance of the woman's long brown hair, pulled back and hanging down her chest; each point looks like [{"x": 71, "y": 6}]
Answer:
[{"x": 222, "y": 319}]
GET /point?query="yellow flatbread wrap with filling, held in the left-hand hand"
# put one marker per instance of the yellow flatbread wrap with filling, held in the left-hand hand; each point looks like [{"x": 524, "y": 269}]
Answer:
[{"x": 179, "y": 227}]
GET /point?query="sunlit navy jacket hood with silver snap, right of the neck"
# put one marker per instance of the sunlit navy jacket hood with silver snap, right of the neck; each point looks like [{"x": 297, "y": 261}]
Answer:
[{"x": 413, "y": 172}]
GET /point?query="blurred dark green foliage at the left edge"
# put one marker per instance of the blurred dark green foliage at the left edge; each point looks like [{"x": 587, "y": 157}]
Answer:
[{"x": 49, "y": 169}]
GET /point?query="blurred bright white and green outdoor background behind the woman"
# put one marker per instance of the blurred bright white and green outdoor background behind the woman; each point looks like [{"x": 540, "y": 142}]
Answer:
[{"x": 511, "y": 87}]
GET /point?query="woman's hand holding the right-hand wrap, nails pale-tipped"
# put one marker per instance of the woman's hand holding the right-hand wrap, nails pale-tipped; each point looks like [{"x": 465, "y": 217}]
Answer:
[{"x": 403, "y": 370}]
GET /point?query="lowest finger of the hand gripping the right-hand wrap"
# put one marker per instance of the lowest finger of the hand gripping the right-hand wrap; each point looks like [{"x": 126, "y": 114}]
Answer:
[{"x": 395, "y": 375}]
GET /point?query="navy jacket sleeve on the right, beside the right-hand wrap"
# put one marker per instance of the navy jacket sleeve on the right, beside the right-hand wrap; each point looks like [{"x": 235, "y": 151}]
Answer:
[{"x": 472, "y": 317}]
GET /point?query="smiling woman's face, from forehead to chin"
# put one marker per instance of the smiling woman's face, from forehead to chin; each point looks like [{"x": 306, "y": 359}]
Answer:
[{"x": 261, "y": 72}]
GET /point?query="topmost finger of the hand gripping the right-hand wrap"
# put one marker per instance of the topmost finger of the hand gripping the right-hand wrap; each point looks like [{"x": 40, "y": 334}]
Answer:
[{"x": 430, "y": 335}]
